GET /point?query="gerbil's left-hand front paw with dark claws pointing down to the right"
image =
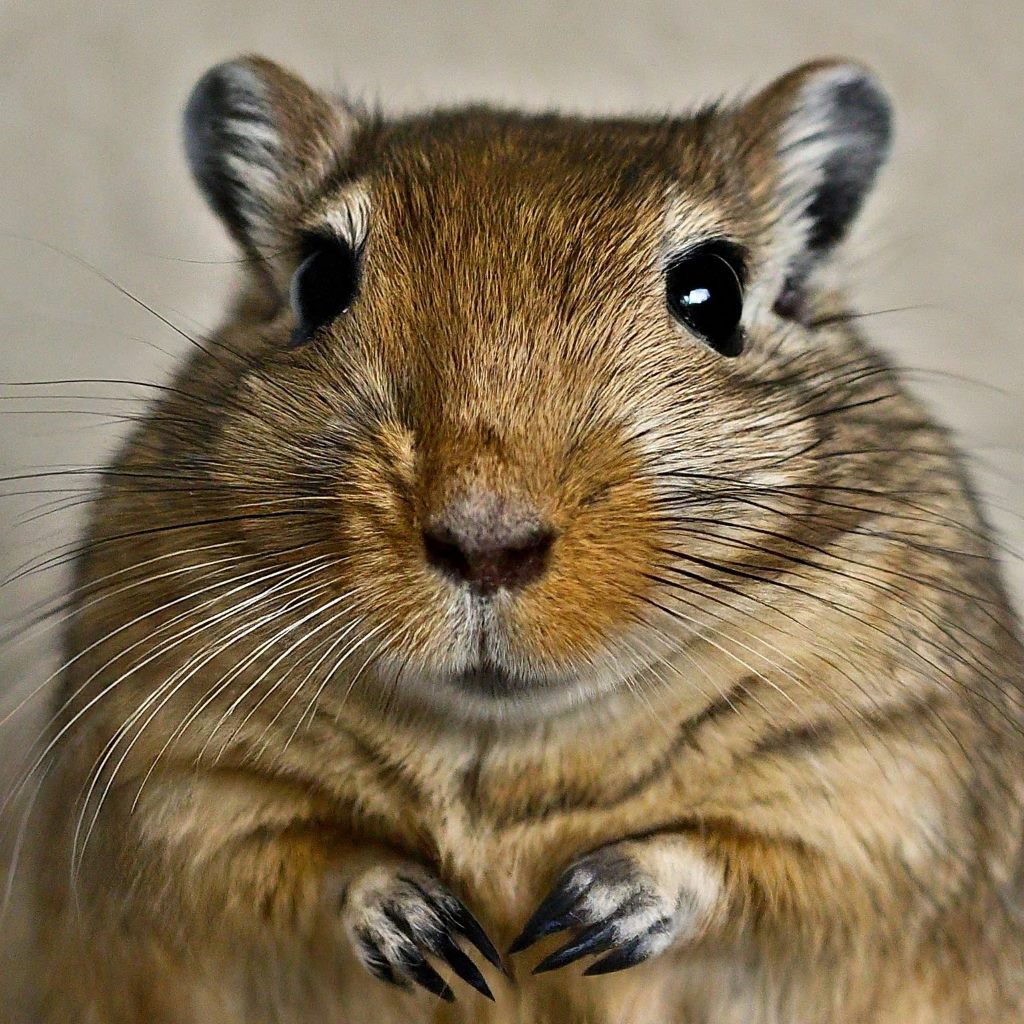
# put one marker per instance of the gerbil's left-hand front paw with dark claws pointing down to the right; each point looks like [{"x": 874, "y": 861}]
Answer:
[{"x": 396, "y": 916}]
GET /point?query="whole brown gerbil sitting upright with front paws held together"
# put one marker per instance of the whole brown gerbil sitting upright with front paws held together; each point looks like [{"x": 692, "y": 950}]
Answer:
[{"x": 539, "y": 568}]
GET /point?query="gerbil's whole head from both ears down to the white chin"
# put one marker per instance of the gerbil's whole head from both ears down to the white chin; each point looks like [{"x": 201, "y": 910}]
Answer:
[{"x": 538, "y": 388}]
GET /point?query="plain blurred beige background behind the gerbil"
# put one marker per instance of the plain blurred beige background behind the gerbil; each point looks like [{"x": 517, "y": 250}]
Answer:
[{"x": 93, "y": 180}]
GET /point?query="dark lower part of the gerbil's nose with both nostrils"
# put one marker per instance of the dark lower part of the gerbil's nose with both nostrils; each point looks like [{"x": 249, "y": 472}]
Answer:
[{"x": 488, "y": 564}]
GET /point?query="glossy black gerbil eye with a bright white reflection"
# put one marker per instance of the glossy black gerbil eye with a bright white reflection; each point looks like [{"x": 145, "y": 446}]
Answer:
[{"x": 705, "y": 292}]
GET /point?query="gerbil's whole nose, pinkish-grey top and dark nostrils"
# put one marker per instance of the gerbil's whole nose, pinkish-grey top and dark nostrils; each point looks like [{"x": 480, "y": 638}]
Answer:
[{"x": 488, "y": 543}]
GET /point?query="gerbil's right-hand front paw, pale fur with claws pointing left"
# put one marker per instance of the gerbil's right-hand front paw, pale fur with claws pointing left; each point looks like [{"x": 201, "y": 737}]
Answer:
[{"x": 631, "y": 901}]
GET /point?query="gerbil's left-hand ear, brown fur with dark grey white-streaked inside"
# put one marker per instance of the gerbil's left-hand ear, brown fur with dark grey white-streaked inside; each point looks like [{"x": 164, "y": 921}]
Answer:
[{"x": 260, "y": 142}]
